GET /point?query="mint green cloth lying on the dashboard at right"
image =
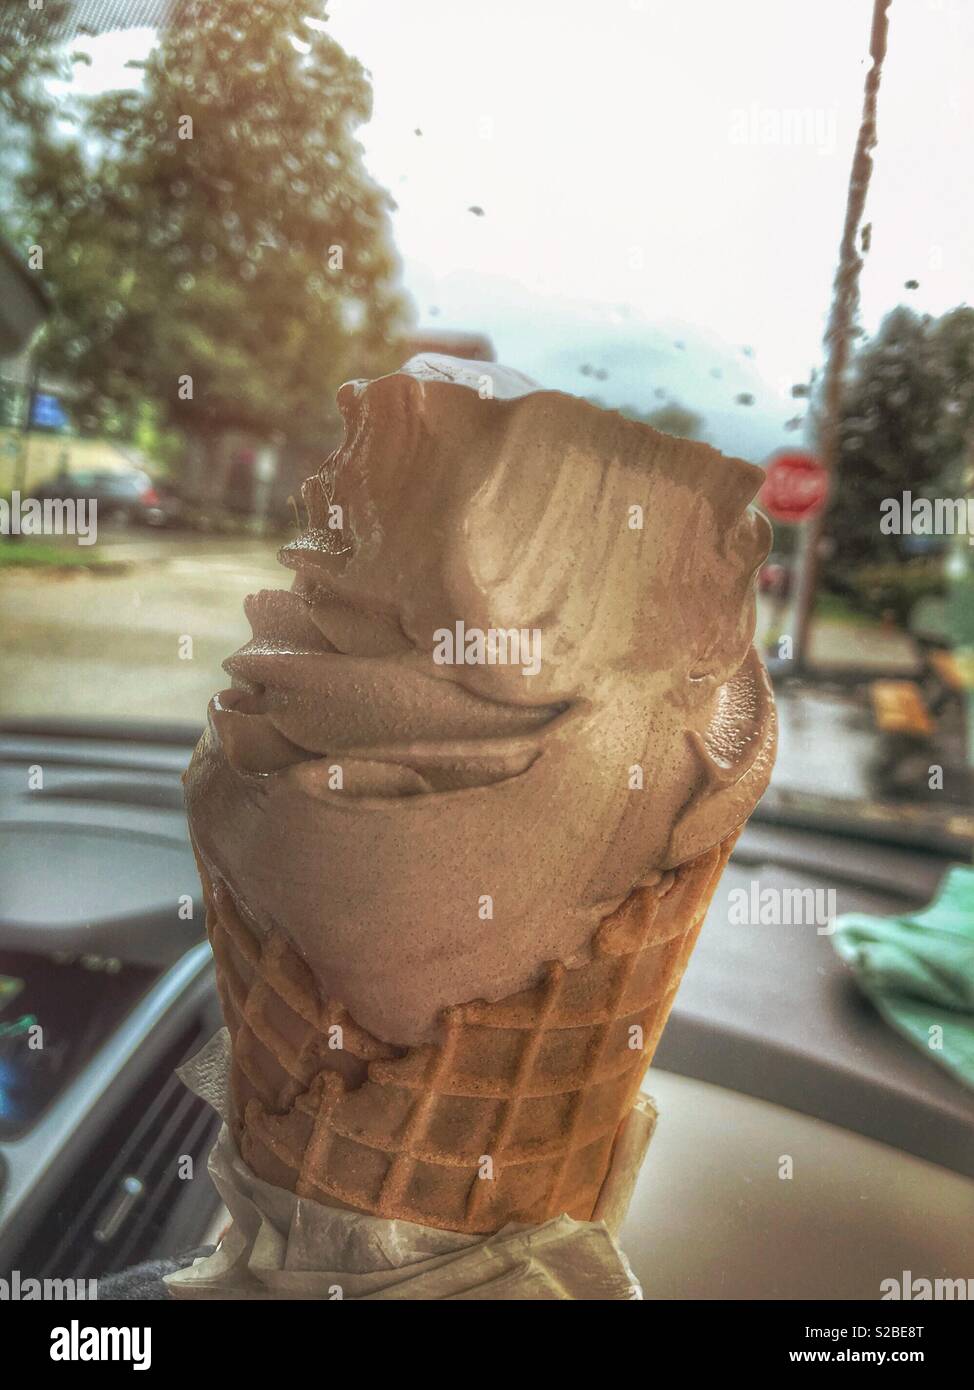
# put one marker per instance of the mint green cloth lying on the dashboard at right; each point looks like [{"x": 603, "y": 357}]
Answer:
[{"x": 919, "y": 971}]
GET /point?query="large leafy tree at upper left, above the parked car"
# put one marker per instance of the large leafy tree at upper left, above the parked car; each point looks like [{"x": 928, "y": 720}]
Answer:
[{"x": 213, "y": 243}]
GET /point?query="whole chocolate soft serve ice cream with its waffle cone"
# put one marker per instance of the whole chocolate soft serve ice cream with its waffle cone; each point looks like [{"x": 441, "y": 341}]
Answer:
[{"x": 511, "y": 611}]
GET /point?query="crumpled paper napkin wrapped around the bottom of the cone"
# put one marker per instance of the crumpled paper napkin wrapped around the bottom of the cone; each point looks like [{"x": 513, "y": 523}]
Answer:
[{"x": 281, "y": 1246}]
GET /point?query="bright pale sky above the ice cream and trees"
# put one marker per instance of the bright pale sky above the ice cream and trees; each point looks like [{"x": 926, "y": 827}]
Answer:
[{"x": 662, "y": 184}]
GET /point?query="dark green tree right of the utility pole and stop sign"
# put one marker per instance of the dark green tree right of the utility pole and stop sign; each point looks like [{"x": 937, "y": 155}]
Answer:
[{"x": 908, "y": 414}]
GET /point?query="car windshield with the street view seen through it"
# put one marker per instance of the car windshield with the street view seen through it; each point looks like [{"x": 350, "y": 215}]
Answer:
[{"x": 686, "y": 213}]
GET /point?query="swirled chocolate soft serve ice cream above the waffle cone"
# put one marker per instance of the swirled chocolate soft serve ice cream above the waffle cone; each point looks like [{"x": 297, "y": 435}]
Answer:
[{"x": 427, "y": 808}]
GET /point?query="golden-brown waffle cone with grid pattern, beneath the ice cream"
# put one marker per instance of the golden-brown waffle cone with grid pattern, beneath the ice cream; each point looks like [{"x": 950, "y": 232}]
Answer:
[{"x": 511, "y": 1115}]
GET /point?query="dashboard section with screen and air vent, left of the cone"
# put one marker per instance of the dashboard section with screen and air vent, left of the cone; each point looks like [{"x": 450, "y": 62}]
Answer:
[{"x": 108, "y": 985}]
